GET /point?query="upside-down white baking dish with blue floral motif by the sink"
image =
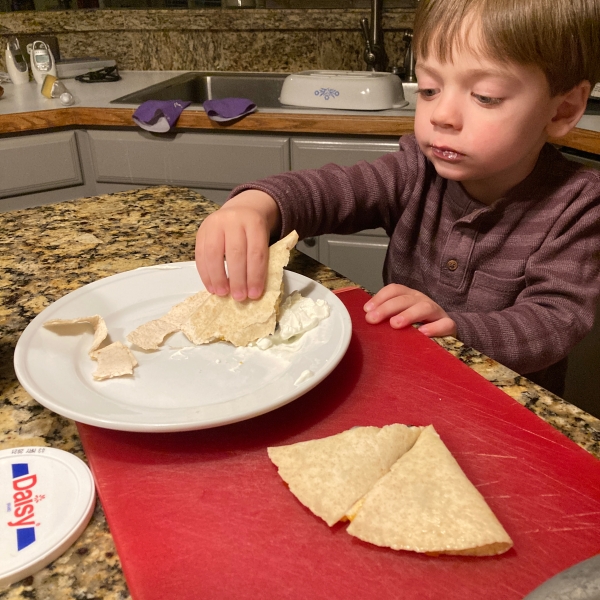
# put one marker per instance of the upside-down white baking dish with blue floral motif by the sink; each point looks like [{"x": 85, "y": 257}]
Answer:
[{"x": 347, "y": 90}]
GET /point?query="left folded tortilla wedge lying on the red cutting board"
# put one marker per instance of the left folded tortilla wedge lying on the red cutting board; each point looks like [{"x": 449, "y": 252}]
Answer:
[{"x": 330, "y": 474}]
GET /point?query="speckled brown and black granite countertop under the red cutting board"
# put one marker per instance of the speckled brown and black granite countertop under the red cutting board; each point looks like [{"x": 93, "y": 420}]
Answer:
[{"x": 48, "y": 251}]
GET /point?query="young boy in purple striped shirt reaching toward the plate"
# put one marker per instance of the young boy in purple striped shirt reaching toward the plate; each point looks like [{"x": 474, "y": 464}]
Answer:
[{"x": 494, "y": 236}]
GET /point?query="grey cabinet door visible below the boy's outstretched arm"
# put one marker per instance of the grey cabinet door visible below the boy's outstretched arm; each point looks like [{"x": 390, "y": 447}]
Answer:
[{"x": 358, "y": 257}]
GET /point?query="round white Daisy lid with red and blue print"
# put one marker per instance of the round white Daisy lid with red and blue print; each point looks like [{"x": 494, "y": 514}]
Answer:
[{"x": 47, "y": 498}]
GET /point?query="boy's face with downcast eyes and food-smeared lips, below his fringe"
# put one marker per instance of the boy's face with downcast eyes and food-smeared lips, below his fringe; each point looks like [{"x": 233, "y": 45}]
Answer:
[{"x": 482, "y": 122}]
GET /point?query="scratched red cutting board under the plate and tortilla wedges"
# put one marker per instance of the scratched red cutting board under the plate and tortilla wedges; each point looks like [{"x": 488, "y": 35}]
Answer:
[{"x": 204, "y": 514}]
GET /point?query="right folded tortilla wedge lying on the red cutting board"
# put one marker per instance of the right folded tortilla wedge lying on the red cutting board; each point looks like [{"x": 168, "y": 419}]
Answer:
[{"x": 426, "y": 504}]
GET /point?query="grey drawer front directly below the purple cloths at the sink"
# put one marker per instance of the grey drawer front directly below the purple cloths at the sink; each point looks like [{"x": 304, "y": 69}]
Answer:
[{"x": 211, "y": 160}]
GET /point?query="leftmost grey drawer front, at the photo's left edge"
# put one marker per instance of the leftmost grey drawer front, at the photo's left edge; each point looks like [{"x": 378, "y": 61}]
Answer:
[{"x": 36, "y": 163}]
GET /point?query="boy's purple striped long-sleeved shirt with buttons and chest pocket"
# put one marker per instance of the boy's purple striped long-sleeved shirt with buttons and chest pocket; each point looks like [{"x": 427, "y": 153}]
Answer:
[{"x": 520, "y": 278}]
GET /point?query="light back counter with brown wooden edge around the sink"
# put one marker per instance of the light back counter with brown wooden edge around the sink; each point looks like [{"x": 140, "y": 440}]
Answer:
[{"x": 23, "y": 109}]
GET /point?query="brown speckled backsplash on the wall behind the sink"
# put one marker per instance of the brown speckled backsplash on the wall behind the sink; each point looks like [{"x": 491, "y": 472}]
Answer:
[{"x": 212, "y": 39}]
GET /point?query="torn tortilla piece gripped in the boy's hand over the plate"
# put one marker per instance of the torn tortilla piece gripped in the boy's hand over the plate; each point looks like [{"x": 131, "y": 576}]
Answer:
[{"x": 223, "y": 318}]
